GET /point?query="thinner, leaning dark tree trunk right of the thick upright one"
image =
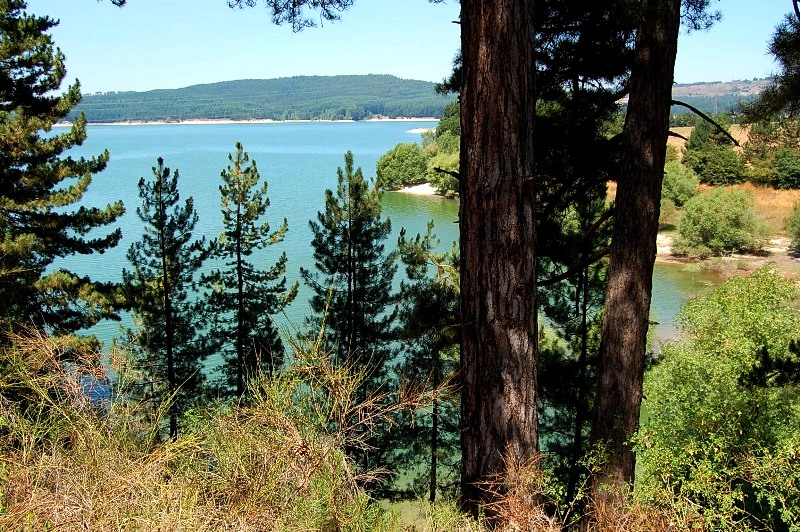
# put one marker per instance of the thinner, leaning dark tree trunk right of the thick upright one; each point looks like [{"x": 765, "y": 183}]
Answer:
[{"x": 633, "y": 249}]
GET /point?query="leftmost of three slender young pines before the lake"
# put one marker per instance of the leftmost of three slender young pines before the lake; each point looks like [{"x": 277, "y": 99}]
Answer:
[{"x": 165, "y": 262}]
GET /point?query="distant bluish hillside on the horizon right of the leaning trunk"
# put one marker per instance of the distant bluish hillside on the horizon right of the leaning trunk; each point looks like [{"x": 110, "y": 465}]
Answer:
[{"x": 717, "y": 96}]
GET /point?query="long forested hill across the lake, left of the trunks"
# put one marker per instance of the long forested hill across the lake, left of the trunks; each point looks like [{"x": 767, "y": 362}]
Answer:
[{"x": 295, "y": 98}]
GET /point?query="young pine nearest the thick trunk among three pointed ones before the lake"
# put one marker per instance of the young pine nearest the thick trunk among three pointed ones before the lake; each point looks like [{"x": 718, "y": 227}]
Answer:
[{"x": 353, "y": 288}]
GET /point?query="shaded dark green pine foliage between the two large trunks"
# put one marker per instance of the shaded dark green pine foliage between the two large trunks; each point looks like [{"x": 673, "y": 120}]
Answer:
[{"x": 568, "y": 349}]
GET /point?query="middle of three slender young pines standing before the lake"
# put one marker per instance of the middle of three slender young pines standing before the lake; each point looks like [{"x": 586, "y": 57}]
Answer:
[{"x": 243, "y": 299}]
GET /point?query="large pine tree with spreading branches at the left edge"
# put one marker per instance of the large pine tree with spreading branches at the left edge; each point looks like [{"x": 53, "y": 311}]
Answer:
[{"x": 40, "y": 188}]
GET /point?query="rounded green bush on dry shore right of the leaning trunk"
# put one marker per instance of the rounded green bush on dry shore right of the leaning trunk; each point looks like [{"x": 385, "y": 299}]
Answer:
[{"x": 720, "y": 222}]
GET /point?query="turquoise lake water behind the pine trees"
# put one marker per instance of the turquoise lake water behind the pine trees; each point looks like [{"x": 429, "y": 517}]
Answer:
[{"x": 299, "y": 161}]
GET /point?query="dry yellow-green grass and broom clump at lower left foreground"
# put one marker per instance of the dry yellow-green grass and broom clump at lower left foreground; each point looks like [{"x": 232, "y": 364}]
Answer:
[{"x": 277, "y": 463}]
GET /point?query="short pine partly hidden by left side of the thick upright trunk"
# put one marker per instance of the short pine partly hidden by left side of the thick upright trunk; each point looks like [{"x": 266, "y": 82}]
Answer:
[{"x": 427, "y": 443}]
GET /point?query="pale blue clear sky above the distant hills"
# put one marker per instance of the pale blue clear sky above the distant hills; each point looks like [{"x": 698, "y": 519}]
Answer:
[{"x": 152, "y": 44}]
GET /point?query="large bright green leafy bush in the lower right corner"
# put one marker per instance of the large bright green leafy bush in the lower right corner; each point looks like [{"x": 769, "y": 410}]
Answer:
[{"x": 713, "y": 444}]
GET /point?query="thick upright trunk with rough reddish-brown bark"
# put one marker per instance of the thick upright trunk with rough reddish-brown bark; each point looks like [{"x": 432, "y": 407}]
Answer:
[{"x": 498, "y": 349}]
